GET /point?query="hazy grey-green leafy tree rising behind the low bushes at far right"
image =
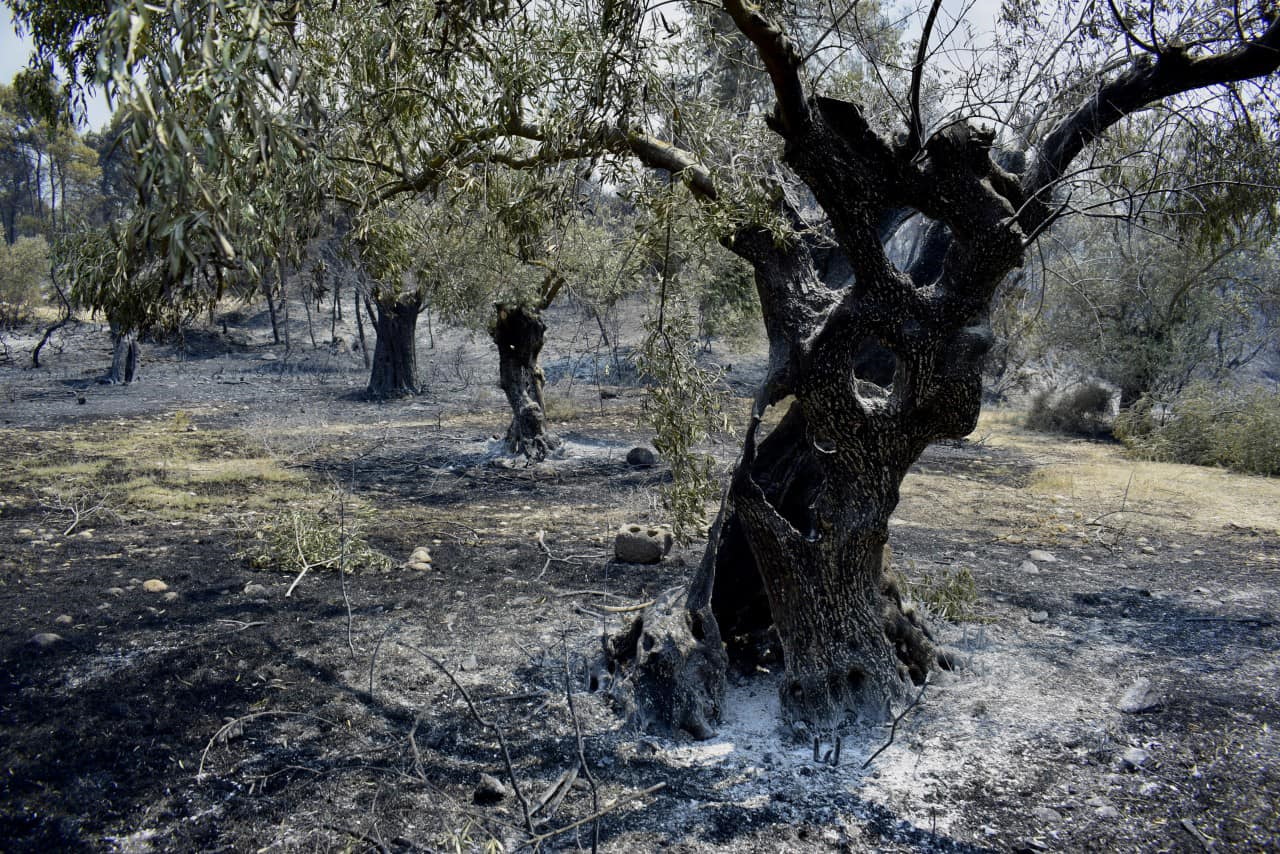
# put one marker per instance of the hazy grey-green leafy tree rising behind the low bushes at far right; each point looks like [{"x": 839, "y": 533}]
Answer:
[{"x": 1149, "y": 313}]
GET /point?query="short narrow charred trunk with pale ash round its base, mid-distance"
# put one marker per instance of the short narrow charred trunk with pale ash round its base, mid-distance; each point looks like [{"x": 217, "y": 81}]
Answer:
[{"x": 519, "y": 332}]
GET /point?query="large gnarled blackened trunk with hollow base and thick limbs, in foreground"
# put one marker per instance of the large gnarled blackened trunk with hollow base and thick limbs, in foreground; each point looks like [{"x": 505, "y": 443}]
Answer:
[{"x": 798, "y": 549}]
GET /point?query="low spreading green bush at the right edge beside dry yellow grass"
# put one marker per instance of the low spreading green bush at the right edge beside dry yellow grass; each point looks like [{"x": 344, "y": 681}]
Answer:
[{"x": 1208, "y": 427}]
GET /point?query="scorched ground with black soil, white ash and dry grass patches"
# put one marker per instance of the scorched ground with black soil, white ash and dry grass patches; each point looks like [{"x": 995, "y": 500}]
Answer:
[{"x": 222, "y": 715}]
